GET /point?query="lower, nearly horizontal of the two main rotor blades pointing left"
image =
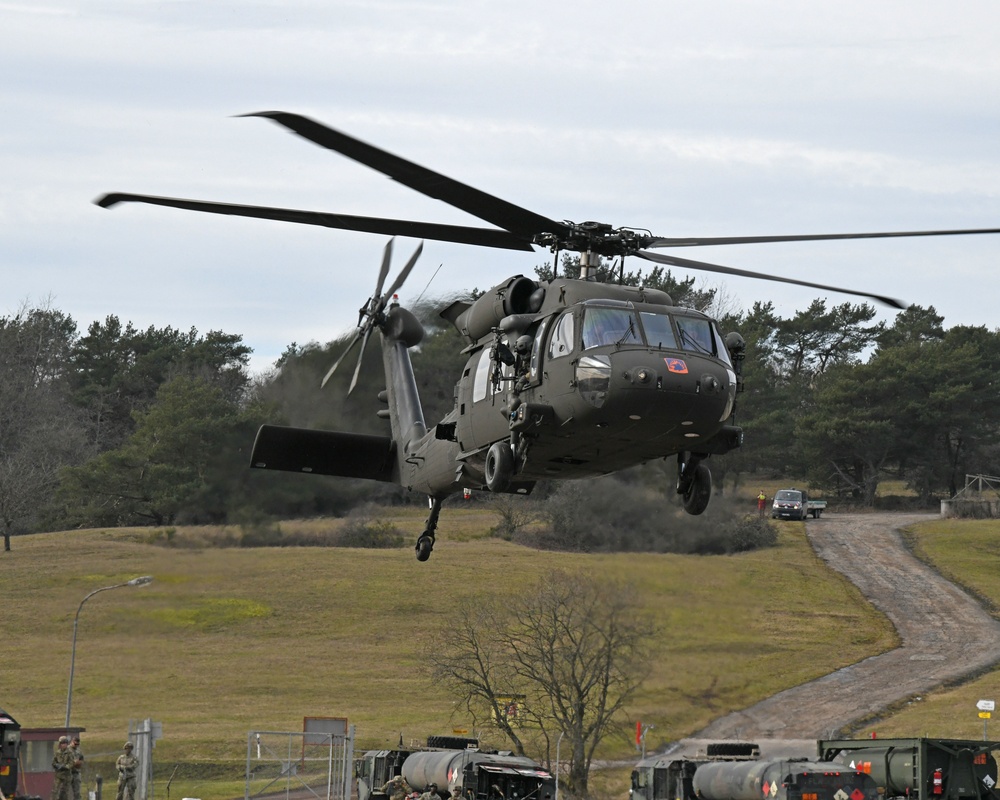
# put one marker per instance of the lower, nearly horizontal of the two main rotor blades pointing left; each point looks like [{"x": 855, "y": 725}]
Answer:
[{"x": 484, "y": 237}]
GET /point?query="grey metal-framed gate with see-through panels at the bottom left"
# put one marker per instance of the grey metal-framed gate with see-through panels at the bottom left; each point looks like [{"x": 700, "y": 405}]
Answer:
[{"x": 300, "y": 765}]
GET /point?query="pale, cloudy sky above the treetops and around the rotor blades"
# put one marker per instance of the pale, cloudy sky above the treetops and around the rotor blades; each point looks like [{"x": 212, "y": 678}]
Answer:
[{"x": 716, "y": 118}]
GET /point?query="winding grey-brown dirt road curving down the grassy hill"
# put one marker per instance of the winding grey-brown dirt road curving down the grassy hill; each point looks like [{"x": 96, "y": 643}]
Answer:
[{"x": 945, "y": 634}]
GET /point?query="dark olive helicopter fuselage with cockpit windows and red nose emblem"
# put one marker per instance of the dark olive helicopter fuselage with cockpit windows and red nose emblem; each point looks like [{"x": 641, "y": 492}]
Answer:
[{"x": 598, "y": 379}]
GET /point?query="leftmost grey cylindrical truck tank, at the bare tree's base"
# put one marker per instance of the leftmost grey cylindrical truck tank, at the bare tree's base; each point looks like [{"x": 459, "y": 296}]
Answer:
[{"x": 479, "y": 774}]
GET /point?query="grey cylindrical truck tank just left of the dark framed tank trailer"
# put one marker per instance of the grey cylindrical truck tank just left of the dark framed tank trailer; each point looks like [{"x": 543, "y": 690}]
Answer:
[{"x": 781, "y": 780}]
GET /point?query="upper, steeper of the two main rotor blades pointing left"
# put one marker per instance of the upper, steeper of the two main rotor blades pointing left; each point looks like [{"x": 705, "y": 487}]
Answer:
[{"x": 517, "y": 220}]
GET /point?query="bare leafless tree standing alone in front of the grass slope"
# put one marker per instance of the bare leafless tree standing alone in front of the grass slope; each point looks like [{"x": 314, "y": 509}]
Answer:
[{"x": 574, "y": 648}]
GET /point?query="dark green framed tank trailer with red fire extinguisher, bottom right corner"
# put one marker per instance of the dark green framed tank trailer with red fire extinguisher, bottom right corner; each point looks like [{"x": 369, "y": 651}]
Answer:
[{"x": 921, "y": 769}]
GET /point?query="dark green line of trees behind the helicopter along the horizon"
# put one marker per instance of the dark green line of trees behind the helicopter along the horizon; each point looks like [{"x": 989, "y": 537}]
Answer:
[{"x": 120, "y": 426}]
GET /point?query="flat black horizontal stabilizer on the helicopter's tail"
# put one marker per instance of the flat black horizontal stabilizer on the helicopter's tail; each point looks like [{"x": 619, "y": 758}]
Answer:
[{"x": 346, "y": 455}]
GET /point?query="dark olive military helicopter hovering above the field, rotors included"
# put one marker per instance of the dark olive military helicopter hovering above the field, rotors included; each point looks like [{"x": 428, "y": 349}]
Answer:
[{"x": 565, "y": 378}]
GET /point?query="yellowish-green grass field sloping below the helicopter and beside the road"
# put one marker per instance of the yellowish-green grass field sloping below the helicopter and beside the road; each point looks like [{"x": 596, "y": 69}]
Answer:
[{"x": 225, "y": 641}]
